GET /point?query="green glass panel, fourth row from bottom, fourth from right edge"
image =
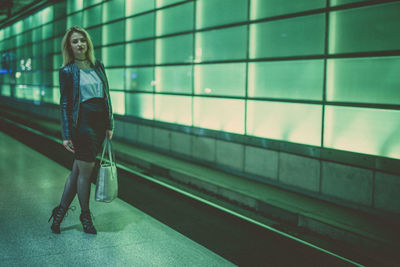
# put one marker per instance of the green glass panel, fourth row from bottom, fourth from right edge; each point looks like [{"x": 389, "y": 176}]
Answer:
[{"x": 175, "y": 19}]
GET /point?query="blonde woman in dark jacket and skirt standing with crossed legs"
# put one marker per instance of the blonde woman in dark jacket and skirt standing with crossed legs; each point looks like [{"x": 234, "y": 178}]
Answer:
[{"x": 86, "y": 117}]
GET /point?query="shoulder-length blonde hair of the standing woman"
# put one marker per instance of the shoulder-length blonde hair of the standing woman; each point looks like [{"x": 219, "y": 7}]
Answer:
[{"x": 68, "y": 55}]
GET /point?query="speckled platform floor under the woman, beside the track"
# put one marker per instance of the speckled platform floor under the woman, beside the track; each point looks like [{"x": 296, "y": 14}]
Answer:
[{"x": 31, "y": 186}]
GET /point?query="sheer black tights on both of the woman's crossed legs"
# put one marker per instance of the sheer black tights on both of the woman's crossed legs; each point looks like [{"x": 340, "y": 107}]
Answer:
[{"x": 78, "y": 181}]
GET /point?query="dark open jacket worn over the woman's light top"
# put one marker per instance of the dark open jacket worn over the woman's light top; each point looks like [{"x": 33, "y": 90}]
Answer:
[{"x": 69, "y": 77}]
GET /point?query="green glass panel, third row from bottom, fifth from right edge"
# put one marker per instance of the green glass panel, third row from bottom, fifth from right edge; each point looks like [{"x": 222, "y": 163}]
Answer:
[{"x": 140, "y": 53}]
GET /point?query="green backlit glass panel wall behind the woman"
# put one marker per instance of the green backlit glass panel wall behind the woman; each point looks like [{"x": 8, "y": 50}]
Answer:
[{"x": 313, "y": 72}]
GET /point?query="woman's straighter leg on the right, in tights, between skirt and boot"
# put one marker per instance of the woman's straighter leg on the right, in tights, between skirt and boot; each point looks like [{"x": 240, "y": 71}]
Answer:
[{"x": 83, "y": 185}]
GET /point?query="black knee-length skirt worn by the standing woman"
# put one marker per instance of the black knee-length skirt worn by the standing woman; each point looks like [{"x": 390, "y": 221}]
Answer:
[{"x": 90, "y": 132}]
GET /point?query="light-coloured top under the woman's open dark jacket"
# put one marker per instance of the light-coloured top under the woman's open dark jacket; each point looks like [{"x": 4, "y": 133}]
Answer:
[{"x": 90, "y": 85}]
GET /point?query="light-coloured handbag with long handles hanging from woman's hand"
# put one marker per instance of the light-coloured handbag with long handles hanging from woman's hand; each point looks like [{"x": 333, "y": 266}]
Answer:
[{"x": 107, "y": 182}]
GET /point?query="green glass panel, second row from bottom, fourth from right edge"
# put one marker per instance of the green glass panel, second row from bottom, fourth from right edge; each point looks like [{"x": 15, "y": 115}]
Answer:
[{"x": 175, "y": 79}]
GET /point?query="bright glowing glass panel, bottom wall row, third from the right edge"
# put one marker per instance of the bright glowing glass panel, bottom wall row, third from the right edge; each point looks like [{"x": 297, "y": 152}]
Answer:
[{"x": 219, "y": 114}]
